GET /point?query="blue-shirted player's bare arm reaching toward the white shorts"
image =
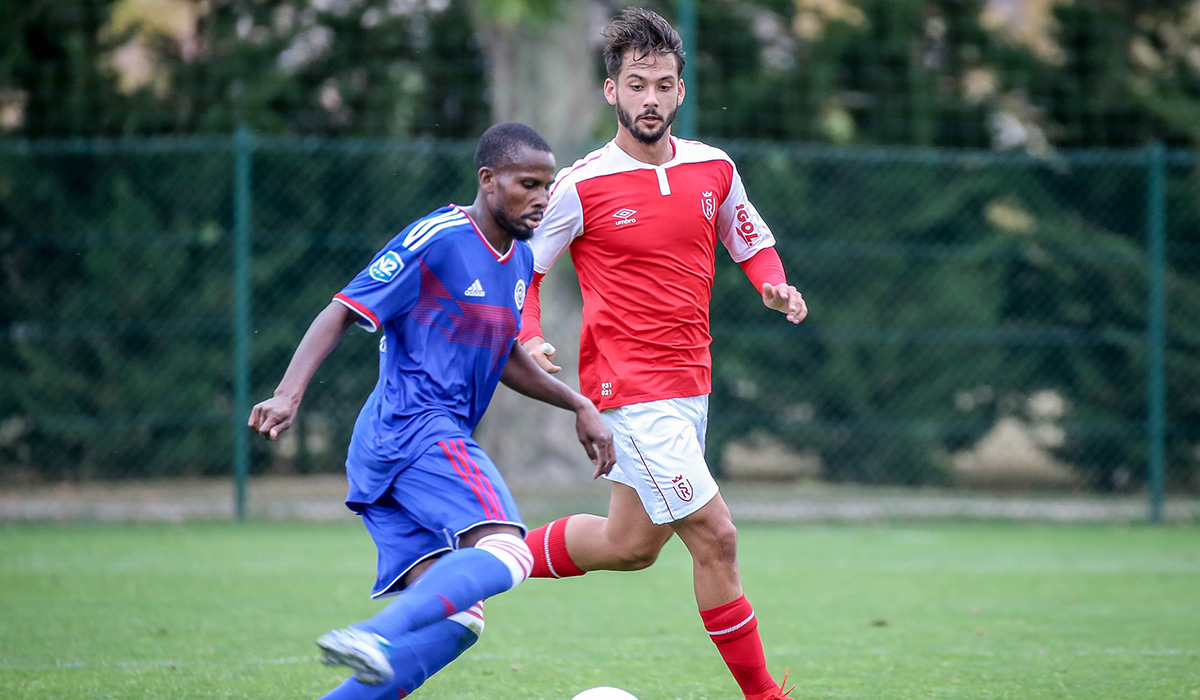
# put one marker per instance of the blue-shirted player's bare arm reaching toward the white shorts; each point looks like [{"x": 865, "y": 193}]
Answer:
[{"x": 523, "y": 375}]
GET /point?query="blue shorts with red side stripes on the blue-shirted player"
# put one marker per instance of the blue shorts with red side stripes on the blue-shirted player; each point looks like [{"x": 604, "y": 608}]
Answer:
[{"x": 452, "y": 489}]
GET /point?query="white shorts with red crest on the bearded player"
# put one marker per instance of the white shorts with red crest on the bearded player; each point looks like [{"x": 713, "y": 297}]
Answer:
[{"x": 661, "y": 454}]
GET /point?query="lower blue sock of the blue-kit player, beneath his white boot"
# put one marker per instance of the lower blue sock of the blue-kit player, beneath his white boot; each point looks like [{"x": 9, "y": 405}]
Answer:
[{"x": 416, "y": 657}]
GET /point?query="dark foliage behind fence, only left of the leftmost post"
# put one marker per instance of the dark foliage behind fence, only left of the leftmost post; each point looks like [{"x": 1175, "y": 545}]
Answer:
[{"x": 117, "y": 297}]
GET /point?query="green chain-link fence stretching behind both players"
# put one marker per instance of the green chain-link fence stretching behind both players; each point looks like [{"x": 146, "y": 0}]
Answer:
[{"x": 959, "y": 300}]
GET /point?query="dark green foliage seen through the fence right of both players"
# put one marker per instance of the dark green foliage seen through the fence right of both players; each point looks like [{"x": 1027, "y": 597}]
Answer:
[{"x": 946, "y": 295}]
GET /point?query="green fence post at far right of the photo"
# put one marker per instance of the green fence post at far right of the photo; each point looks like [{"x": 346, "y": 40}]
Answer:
[{"x": 1156, "y": 327}]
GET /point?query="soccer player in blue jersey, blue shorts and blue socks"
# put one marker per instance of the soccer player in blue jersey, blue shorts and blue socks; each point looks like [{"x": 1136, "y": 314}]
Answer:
[{"x": 448, "y": 294}]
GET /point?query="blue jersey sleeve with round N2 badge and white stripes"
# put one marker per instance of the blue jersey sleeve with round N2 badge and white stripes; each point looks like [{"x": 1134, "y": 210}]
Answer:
[{"x": 388, "y": 289}]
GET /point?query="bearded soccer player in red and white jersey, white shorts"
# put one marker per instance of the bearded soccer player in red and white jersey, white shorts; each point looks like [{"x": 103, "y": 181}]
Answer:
[{"x": 643, "y": 218}]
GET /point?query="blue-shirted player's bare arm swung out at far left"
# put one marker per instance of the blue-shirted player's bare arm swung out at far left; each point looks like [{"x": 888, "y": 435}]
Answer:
[{"x": 274, "y": 416}]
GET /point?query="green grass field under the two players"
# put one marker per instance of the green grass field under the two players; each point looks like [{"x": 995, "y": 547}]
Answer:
[{"x": 938, "y": 612}]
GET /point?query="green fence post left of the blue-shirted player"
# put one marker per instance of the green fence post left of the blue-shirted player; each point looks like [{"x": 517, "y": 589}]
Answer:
[{"x": 243, "y": 147}]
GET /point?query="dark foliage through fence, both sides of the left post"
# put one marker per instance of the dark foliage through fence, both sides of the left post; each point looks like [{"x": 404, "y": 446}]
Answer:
[{"x": 117, "y": 360}]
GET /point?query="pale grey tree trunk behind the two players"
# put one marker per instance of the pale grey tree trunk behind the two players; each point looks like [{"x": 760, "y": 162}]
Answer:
[{"x": 545, "y": 73}]
